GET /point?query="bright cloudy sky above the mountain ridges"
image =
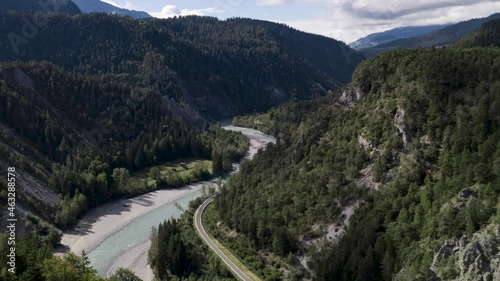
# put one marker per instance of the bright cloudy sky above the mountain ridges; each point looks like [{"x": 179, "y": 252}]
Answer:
[{"x": 346, "y": 20}]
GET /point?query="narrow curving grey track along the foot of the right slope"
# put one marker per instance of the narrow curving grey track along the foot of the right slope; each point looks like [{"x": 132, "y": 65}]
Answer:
[{"x": 203, "y": 233}]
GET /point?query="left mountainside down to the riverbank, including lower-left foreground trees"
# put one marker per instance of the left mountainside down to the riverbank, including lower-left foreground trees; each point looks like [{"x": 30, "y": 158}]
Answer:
[{"x": 72, "y": 142}]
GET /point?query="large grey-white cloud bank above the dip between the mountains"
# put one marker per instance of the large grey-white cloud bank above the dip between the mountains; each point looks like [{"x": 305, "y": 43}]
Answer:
[{"x": 349, "y": 20}]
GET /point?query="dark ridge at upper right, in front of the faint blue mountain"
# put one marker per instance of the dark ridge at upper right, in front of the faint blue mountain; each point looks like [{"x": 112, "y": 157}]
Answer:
[{"x": 441, "y": 37}]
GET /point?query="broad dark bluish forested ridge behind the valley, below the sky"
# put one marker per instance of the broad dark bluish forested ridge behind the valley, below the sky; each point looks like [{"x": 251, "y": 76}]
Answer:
[{"x": 220, "y": 68}]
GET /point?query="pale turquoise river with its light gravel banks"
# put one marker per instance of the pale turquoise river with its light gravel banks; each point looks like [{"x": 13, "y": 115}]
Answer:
[{"x": 117, "y": 234}]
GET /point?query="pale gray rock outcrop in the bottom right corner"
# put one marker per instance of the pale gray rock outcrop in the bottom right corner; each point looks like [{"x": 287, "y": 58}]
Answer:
[{"x": 471, "y": 258}]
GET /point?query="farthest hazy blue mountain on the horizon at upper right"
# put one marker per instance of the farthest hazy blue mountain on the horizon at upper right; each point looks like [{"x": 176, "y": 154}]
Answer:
[{"x": 379, "y": 38}]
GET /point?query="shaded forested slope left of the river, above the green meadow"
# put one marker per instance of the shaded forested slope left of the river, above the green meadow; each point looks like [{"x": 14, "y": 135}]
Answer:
[{"x": 76, "y": 135}]
